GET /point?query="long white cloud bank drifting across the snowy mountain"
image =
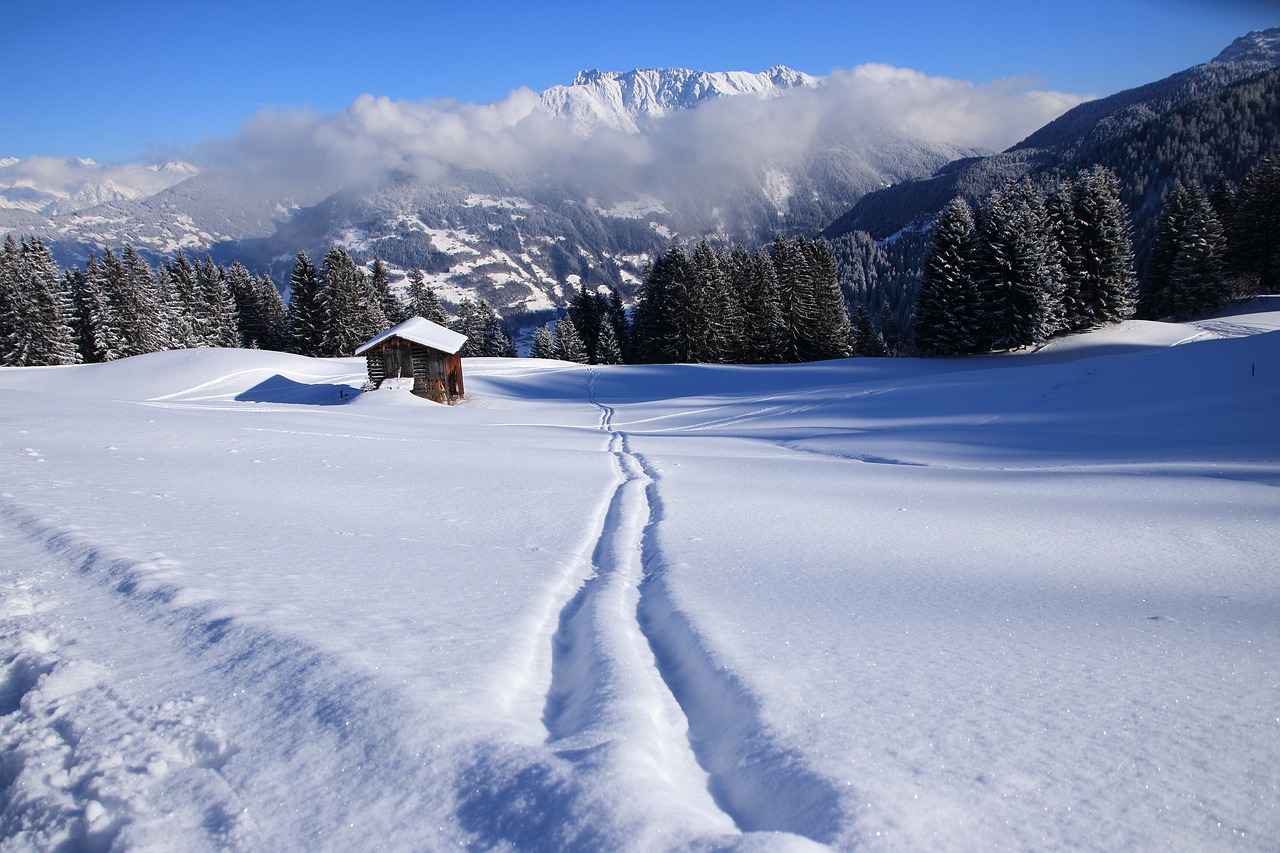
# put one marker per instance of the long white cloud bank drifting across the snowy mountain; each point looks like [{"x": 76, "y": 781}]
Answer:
[{"x": 516, "y": 135}]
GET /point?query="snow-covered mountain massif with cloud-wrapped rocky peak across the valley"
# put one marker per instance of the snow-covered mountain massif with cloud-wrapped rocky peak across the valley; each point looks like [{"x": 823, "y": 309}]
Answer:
[{"x": 580, "y": 184}]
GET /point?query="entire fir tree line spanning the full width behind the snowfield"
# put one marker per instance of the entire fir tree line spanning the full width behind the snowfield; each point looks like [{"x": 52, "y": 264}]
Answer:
[{"x": 1022, "y": 266}]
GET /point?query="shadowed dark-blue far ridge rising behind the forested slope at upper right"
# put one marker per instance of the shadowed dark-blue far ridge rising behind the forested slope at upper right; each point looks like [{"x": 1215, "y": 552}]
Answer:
[{"x": 1076, "y": 140}]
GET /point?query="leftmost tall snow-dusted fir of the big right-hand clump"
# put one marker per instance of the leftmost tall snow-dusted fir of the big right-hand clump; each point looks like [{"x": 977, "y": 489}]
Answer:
[{"x": 947, "y": 318}]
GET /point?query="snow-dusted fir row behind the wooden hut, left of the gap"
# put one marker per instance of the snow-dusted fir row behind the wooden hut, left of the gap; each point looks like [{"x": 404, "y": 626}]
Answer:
[{"x": 121, "y": 307}]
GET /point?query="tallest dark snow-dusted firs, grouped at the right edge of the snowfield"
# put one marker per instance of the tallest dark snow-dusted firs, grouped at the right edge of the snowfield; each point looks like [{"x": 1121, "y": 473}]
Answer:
[{"x": 1030, "y": 264}]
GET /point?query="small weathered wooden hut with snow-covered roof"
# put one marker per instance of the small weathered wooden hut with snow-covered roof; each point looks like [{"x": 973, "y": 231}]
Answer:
[{"x": 422, "y": 350}]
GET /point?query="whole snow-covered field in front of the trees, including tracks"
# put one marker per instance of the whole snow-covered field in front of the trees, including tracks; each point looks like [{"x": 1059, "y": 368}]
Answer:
[{"x": 1012, "y": 603}]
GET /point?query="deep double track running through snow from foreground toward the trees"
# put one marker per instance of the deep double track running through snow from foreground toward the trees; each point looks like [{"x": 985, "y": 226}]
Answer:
[{"x": 627, "y": 659}]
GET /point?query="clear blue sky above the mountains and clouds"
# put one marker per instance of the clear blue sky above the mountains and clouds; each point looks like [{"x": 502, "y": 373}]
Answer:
[{"x": 141, "y": 79}]
